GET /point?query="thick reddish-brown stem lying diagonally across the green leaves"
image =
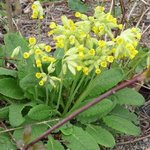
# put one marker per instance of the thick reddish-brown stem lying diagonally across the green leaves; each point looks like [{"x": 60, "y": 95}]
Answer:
[{"x": 85, "y": 107}]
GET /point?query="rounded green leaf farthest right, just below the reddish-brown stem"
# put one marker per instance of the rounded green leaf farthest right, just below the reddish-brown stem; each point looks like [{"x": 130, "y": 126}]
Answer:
[{"x": 130, "y": 97}]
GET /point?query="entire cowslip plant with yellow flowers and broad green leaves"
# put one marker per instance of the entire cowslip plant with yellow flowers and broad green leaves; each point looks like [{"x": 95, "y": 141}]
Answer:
[{"x": 88, "y": 60}]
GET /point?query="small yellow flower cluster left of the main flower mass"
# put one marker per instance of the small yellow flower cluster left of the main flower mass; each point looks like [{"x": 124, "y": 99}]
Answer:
[{"x": 41, "y": 56}]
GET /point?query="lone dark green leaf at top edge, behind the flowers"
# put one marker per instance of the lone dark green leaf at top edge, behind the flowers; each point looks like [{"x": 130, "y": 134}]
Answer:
[{"x": 77, "y": 5}]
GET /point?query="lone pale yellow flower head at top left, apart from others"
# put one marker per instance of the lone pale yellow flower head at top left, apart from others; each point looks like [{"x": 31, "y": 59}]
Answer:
[{"x": 37, "y": 10}]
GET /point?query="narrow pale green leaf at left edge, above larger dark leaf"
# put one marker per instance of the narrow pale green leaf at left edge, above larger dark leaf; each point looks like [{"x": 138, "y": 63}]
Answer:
[{"x": 8, "y": 72}]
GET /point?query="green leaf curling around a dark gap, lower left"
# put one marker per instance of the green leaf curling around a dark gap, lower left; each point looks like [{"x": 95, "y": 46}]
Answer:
[{"x": 15, "y": 114}]
